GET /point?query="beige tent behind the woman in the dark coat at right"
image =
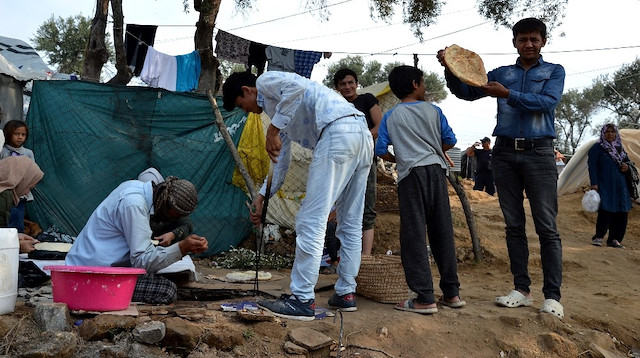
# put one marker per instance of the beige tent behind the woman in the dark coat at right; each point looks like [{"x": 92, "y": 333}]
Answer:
[{"x": 575, "y": 174}]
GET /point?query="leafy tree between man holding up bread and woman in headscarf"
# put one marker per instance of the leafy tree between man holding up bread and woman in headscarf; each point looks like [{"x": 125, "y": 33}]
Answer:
[{"x": 574, "y": 115}]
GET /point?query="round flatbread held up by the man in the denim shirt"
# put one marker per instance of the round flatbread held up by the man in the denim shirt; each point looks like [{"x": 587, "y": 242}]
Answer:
[{"x": 466, "y": 65}]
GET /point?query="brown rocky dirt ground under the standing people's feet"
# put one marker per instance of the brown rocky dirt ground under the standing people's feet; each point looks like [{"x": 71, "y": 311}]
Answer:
[{"x": 600, "y": 296}]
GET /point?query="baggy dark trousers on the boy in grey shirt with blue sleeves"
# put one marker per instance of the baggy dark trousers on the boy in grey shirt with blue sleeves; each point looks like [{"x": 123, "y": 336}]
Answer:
[{"x": 424, "y": 209}]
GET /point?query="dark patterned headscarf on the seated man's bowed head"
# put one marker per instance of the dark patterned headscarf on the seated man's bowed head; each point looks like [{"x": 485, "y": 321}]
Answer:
[{"x": 179, "y": 194}]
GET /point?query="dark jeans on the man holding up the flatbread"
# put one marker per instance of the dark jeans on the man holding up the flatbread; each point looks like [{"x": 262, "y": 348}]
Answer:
[{"x": 532, "y": 171}]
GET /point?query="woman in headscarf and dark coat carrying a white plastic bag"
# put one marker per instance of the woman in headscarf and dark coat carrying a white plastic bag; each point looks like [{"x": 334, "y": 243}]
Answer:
[{"x": 608, "y": 162}]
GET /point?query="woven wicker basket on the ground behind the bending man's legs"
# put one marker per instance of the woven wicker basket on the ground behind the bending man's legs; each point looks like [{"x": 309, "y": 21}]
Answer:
[{"x": 381, "y": 278}]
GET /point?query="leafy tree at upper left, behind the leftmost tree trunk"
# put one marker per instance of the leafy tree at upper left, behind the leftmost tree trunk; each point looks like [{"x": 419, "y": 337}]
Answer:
[{"x": 64, "y": 42}]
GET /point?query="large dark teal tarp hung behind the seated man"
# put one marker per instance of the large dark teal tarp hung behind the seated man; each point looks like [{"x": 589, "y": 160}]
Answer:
[{"x": 89, "y": 137}]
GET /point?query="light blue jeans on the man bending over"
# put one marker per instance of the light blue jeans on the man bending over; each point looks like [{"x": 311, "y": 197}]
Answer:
[{"x": 337, "y": 174}]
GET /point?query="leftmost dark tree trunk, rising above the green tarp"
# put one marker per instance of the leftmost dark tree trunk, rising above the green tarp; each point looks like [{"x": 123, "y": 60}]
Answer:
[{"x": 96, "y": 54}]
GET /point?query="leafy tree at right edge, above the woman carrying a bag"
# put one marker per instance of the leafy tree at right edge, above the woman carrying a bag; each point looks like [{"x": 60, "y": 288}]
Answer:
[{"x": 622, "y": 95}]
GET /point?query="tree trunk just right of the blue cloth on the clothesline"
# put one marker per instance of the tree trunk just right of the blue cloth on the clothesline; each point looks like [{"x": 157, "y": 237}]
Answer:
[{"x": 210, "y": 76}]
